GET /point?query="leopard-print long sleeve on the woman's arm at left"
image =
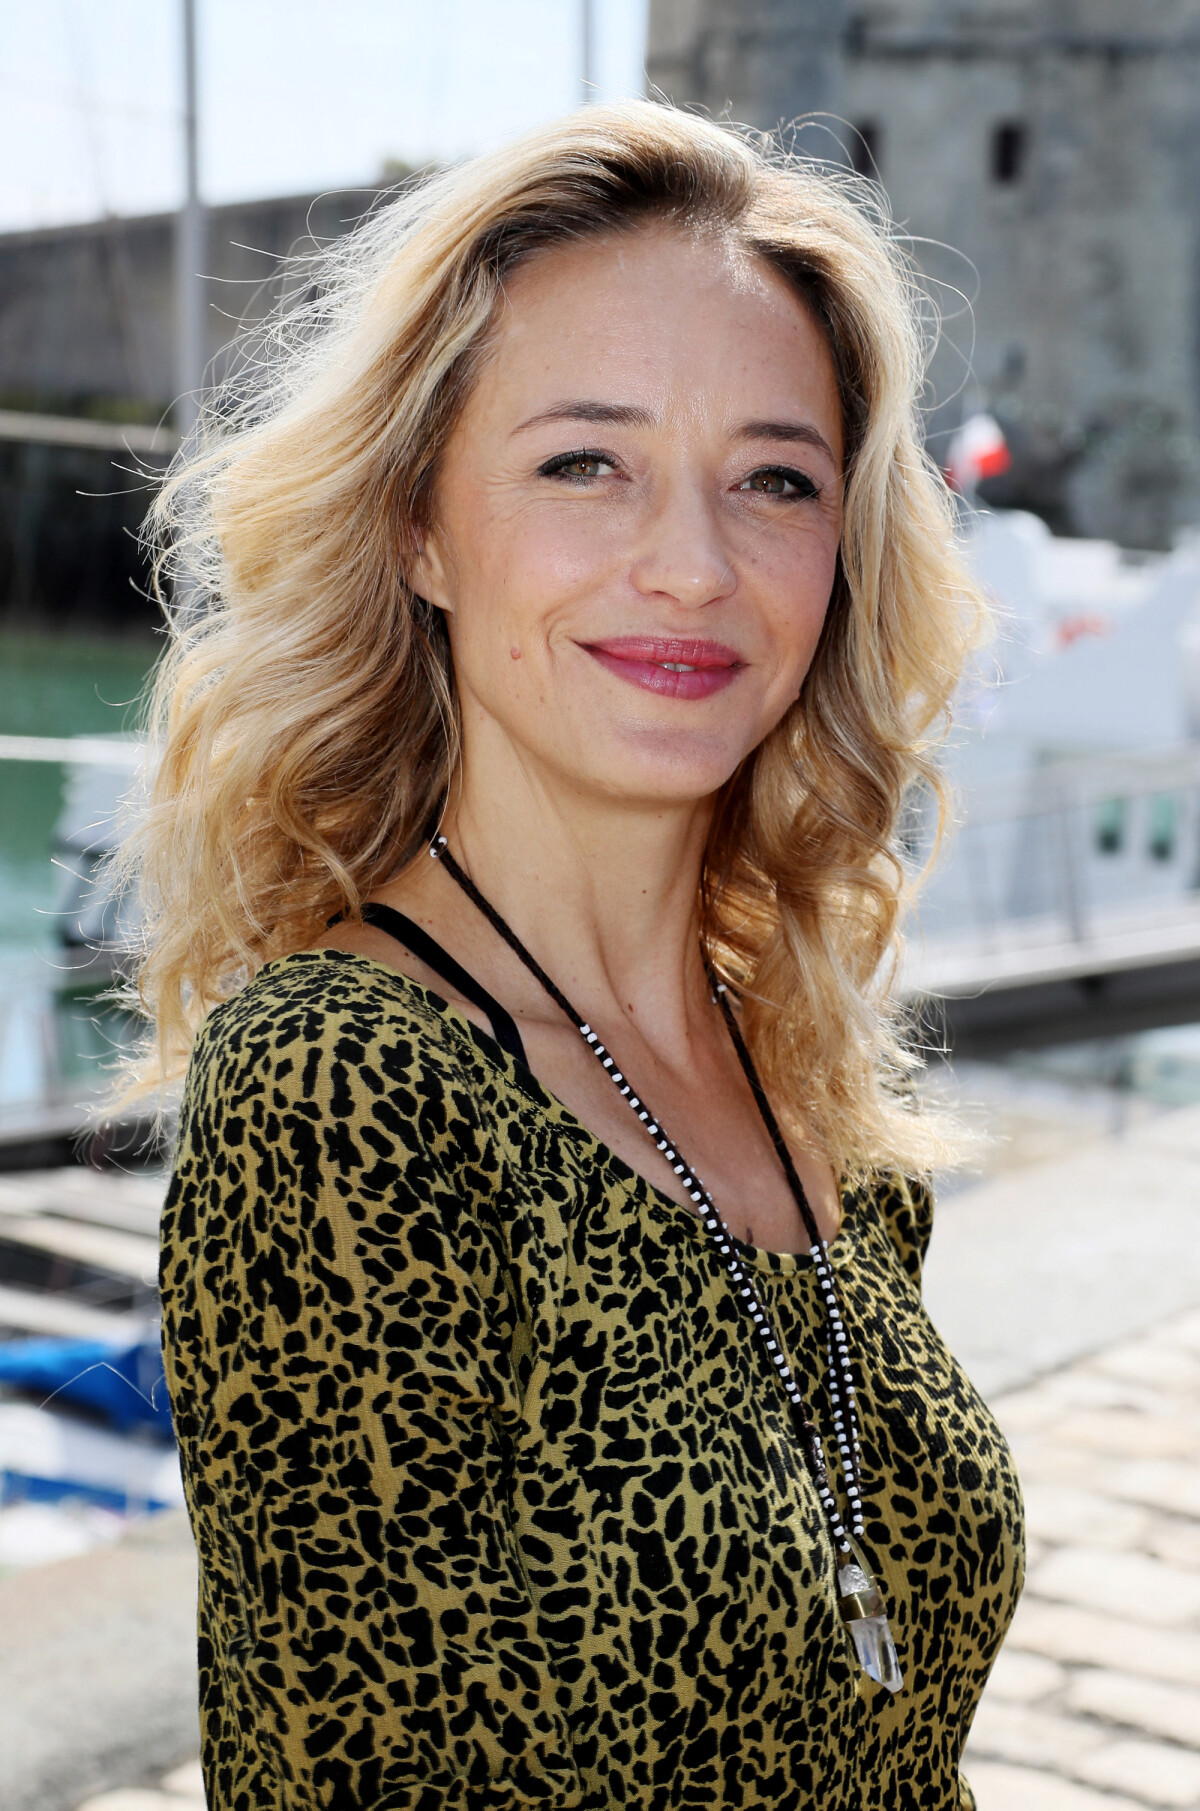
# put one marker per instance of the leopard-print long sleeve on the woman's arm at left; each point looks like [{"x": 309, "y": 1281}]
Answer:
[{"x": 343, "y": 1343}]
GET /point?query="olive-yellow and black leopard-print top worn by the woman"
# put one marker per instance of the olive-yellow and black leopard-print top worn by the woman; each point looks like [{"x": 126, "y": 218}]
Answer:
[{"x": 497, "y": 1502}]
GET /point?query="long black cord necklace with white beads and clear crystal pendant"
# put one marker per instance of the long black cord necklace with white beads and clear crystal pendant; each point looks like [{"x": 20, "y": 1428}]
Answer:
[{"x": 861, "y": 1598}]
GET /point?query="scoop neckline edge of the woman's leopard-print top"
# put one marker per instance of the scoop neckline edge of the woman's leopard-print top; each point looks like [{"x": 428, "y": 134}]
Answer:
[{"x": 756, "y": 1258}]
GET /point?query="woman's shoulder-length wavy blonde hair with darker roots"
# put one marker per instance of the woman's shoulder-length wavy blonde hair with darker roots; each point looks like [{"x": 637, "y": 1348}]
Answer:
[{"x": 305, "y": 716}]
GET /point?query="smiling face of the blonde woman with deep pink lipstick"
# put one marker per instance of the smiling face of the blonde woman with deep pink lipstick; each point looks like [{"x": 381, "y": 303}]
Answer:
[{"x": 638, "y": 515}]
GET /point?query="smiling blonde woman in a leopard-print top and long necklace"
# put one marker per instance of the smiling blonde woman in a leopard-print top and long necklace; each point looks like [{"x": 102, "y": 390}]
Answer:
[{"x": 580, "y": 608}]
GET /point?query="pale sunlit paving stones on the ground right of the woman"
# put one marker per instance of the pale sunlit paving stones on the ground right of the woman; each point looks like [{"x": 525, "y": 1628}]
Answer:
[{"x": 1096, "y": 1698}]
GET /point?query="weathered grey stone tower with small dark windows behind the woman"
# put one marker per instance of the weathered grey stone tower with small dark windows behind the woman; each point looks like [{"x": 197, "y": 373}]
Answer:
[{"x": 1045, "y": 158}]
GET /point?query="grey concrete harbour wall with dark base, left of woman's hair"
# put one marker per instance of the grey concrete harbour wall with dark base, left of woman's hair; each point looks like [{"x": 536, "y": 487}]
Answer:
[{"x": 88, "y": 325}]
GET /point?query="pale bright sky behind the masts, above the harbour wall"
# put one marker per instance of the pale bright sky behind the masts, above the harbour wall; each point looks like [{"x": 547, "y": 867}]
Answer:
[{"x": 296, "y": 95}]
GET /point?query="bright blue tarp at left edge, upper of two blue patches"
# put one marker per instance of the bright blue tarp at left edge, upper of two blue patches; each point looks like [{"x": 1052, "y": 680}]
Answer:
[{"x": 120, "y": 1383}]
